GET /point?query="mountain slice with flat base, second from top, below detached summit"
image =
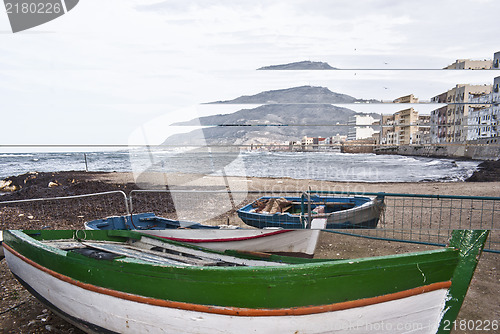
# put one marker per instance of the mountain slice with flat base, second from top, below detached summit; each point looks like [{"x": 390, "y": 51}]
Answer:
[{"x": 302, "y": 94}]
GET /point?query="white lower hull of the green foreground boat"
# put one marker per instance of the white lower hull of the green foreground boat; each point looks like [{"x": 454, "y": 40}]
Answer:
[{"x": 94, "y": 309}]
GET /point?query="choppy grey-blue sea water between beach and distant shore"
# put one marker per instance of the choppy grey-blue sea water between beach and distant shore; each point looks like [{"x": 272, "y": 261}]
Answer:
[{"x": 328, "y": 166}]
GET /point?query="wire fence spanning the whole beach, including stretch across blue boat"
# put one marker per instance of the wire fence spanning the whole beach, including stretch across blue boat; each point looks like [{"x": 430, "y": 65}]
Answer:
[{"x": 424, "y": 219}]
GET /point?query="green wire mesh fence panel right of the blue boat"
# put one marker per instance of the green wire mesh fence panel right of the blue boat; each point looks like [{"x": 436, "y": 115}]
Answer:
[{"x": 429, "y": 219}]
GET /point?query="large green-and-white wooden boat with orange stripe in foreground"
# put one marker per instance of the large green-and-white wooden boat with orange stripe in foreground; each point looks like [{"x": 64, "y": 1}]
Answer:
[{"x": 127, "y": 282}]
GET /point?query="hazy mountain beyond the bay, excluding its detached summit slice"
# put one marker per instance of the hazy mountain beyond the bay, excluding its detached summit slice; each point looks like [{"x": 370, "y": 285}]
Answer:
[{"x": 285, "y": 114}]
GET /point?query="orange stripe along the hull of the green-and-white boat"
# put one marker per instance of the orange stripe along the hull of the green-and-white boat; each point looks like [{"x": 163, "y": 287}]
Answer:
[{"x": 238, "y": 311}]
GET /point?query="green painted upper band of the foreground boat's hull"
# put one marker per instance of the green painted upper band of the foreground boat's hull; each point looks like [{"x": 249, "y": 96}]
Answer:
[{"x": 305, "y": 283}]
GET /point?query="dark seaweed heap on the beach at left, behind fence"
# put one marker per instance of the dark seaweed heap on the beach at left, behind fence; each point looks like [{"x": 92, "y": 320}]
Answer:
[{"x": 69, "y": 213}]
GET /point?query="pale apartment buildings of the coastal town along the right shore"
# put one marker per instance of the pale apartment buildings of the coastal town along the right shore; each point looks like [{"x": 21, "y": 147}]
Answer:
[{"x": 467, "y": 116}]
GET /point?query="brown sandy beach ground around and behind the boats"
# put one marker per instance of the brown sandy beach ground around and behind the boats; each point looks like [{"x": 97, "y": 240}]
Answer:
[{"x": 21, "y": 313}]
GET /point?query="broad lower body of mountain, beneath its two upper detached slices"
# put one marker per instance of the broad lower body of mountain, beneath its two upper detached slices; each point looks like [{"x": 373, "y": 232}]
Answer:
[{"x": 267, "y": 123}]
